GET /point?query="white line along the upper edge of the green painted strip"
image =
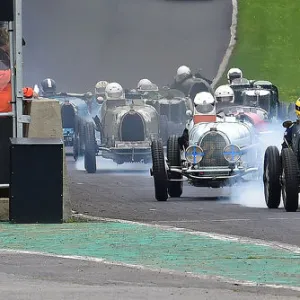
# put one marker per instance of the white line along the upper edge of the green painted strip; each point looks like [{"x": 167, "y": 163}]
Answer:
[{"x": 213, "y": 235}]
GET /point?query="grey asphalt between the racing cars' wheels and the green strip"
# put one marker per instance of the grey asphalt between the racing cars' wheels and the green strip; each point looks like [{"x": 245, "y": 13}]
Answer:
[{"x": 124, "y": 193}]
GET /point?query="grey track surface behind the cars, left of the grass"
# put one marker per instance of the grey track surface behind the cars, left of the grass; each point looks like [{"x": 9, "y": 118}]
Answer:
[{"x": 80, "y": 42}]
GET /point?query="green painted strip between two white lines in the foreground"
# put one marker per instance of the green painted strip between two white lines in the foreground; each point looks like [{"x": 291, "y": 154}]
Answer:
[{"x": 157, "y": 248}]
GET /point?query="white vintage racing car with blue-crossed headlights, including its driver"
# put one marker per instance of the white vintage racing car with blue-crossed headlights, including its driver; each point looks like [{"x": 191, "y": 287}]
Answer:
[{"x": 215, "y": 151}]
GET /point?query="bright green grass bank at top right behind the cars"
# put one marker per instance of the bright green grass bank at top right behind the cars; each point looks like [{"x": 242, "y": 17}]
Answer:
[{"x": 268, "y": 44}]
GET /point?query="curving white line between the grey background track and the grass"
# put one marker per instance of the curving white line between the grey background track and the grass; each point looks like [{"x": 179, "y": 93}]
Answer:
[{"x": 231, "y": 45}]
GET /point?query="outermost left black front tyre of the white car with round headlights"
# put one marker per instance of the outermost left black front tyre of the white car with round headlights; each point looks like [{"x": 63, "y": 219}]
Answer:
[{"x": 159, "y": 171}]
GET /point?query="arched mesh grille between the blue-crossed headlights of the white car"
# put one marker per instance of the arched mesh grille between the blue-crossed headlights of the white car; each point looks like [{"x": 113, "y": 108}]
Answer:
[{"x": 213, "y": 145}]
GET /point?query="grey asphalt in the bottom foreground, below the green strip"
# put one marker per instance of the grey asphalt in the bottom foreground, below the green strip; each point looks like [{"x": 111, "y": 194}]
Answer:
[{"x": 29, "y": 277}]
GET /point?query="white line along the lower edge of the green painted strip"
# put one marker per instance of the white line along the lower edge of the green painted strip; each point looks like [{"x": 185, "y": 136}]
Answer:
[{"x": 146, "y": 268}]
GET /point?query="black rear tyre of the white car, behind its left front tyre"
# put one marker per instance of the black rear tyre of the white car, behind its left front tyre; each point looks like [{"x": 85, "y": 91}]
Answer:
[{"x": 173, "y": 155}]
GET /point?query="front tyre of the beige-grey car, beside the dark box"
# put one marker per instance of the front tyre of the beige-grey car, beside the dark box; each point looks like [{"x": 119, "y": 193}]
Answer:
[{"x": 90, "y": 151}]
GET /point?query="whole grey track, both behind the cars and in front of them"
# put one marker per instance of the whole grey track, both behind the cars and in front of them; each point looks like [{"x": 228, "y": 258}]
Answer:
[{"x": 125, "y": 40}]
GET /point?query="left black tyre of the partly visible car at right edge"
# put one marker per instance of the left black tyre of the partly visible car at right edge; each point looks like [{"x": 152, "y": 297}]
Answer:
[{"x": 271, "y": 177}]
